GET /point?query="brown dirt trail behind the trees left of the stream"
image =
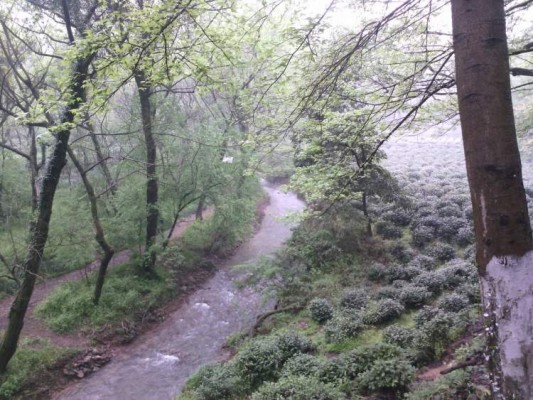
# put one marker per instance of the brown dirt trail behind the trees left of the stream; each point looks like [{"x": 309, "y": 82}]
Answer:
[{"x": 34, "y": 327}]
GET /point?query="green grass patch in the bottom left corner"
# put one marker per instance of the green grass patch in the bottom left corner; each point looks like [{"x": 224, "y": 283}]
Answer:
[{"x": 33, "y": 358}]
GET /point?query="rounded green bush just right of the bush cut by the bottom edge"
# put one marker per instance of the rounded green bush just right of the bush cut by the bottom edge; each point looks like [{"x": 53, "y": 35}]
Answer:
[{"x": 389, "y": 376}]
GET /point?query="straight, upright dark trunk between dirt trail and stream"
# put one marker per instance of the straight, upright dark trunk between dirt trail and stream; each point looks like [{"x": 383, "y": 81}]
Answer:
[{"x": 152, "y": 212}]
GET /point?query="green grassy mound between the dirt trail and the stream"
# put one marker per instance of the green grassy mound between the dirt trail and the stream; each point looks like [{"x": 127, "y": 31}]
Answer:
[{"x": 126, "y": 294}]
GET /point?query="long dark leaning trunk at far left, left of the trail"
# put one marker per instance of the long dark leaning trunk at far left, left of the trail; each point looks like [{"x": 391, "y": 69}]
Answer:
[{"x": 40, "y": 226}]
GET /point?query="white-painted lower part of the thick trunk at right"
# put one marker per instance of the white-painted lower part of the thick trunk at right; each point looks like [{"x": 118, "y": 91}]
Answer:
[{"x": 508, "y": 298}]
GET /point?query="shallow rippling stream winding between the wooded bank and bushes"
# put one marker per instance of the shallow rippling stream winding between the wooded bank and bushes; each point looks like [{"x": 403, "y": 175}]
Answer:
[{"x": 156, "y": 366}]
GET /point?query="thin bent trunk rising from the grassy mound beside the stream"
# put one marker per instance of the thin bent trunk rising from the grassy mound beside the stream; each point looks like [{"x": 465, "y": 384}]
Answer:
[{"x": 98, "y": 228}]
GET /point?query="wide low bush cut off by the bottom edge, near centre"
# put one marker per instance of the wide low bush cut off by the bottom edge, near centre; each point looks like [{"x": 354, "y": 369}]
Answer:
[{"x": 298, "y": 388}]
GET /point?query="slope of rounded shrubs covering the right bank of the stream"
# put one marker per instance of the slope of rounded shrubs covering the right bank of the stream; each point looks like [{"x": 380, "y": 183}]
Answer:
[{"x": 374, "y": 309}]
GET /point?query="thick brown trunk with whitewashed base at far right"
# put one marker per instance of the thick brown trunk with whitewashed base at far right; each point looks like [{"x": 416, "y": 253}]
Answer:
[{"x": 501, "y": 221}]
